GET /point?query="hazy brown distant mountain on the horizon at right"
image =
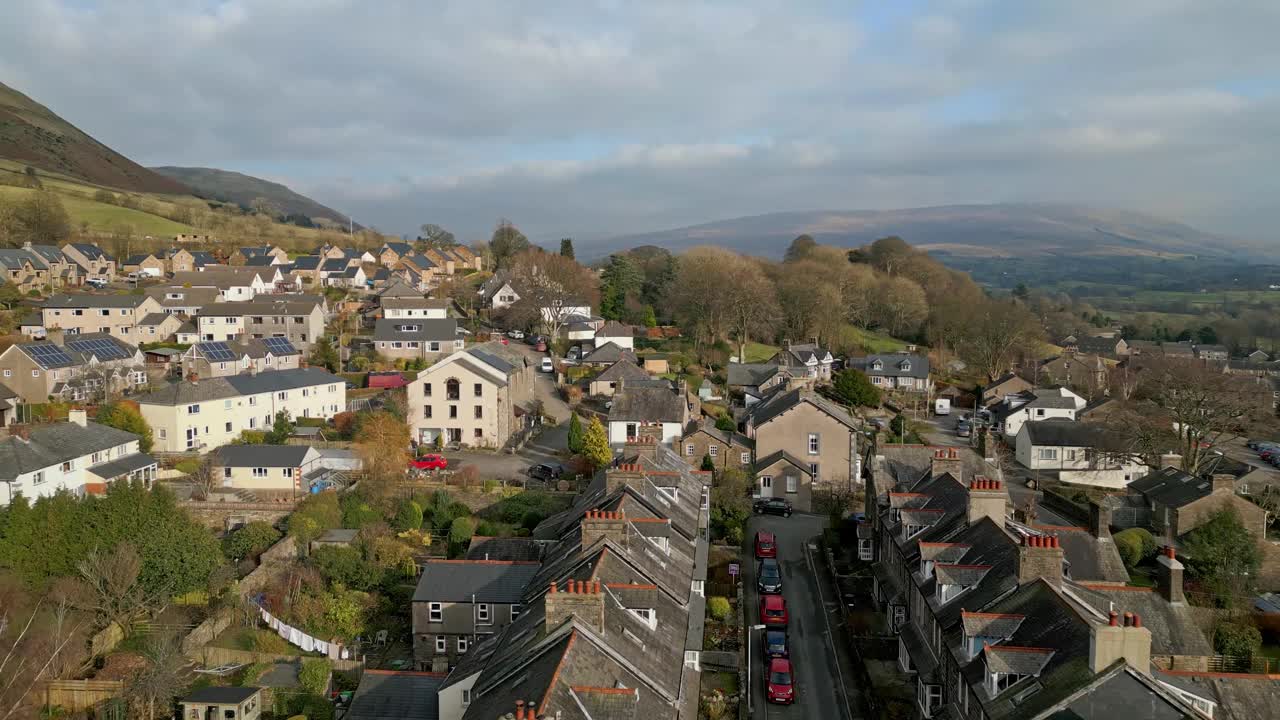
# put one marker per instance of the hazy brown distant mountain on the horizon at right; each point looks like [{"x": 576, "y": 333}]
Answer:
[{"x": 1031, "y": 231}]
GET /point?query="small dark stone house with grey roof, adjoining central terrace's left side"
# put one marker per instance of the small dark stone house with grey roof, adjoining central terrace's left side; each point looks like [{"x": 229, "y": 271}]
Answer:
[{"x": 459, "y": 603}]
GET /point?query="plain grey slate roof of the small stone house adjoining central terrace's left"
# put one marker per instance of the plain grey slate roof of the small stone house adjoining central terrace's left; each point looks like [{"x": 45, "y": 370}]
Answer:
[{"x": 487, "y": 581}]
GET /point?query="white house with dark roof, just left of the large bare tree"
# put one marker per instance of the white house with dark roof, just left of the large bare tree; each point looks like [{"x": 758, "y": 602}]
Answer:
[{"x": 1078, "y": 453}]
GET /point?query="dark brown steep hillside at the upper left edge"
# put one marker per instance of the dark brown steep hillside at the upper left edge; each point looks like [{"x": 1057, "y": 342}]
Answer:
[{"x": 34, "y": 135}]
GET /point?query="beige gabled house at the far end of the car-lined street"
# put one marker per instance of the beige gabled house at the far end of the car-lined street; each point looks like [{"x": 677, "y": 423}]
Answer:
[{"x": 804, "y": 431}]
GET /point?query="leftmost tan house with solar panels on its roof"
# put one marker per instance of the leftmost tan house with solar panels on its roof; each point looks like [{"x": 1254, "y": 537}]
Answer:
[{"x": 74, "y": 368}]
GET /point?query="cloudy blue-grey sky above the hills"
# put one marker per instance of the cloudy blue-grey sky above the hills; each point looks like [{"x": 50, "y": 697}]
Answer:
[{"x": 596, "y": 119}]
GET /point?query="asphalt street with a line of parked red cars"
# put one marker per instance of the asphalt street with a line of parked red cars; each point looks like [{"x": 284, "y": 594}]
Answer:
[{"x": 813, "y": 608}]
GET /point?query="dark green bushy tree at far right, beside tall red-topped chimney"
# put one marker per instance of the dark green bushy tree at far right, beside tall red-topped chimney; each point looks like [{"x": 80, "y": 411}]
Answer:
[{"x": 1226, "y": 559}]
